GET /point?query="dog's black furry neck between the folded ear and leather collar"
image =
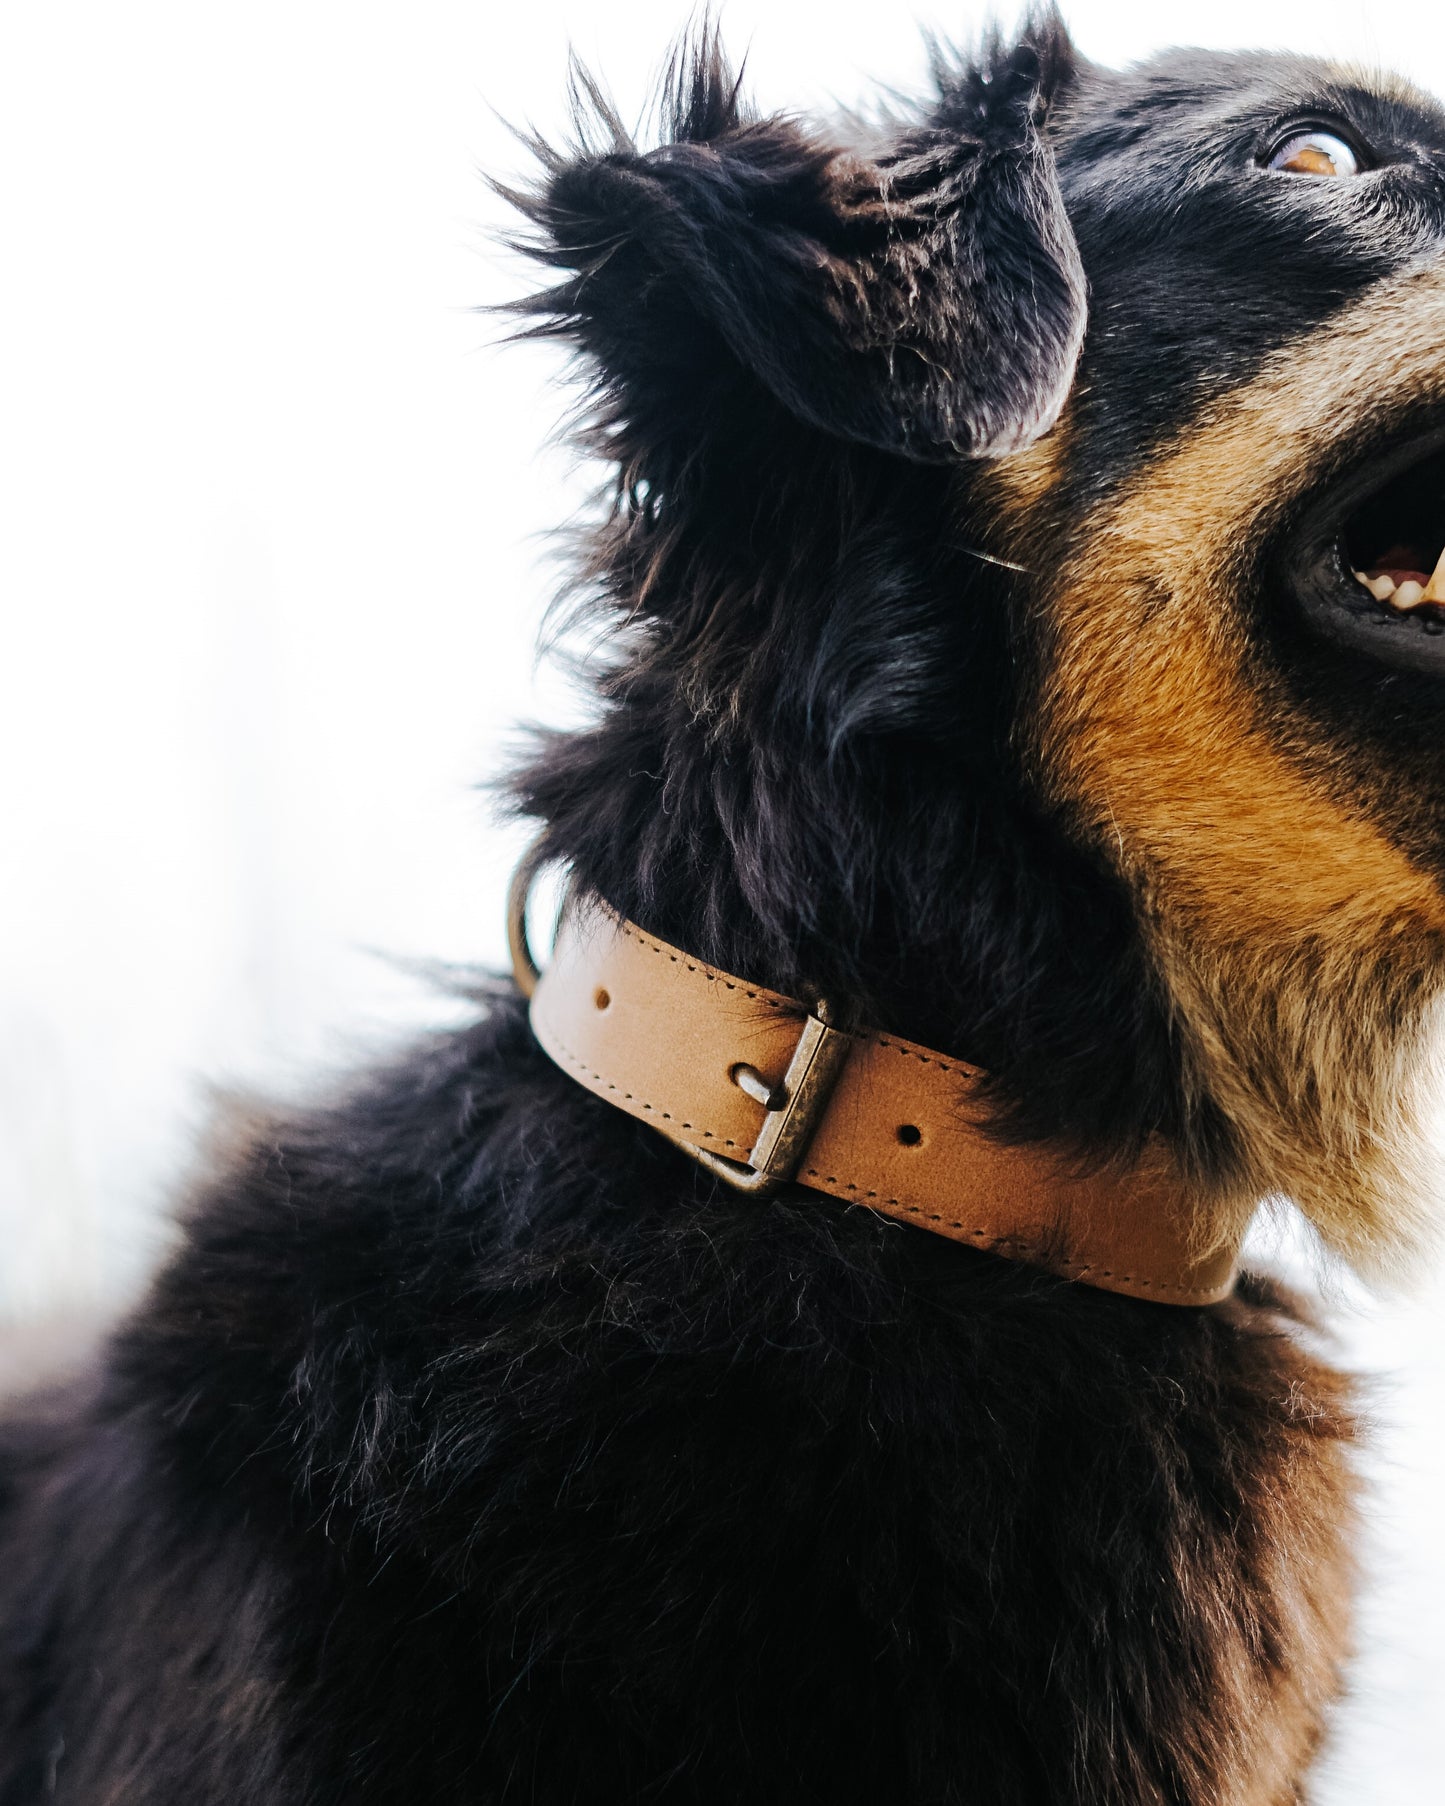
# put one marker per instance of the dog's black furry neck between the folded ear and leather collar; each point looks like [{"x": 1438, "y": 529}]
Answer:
[{"x": 805, "y": 772}]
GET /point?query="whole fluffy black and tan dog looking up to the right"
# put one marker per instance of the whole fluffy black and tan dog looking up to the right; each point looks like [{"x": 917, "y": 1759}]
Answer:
[{"x": 1021, "y": 563}]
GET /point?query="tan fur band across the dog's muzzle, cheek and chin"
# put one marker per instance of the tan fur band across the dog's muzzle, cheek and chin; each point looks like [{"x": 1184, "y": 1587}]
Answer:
[{"x": 1303, "y": 951}]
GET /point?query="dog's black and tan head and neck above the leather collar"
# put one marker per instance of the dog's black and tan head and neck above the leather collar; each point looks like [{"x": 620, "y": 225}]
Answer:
[{"x": 1005, "y": 496}]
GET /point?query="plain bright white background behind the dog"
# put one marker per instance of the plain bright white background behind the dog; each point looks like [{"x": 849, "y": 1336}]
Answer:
[{"x": 274, "y": 512}]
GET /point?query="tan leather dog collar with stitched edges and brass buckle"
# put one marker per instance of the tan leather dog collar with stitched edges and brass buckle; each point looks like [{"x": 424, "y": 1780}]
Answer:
[{"x": 765, "y": 1092}]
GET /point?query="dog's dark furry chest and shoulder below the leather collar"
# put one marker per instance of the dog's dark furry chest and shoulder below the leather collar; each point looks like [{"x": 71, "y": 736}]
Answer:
[{"x": 689, "y": 1503}]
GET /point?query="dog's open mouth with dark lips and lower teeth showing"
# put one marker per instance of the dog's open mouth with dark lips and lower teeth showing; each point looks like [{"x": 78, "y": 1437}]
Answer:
[{"x": 1370, "y": 563}]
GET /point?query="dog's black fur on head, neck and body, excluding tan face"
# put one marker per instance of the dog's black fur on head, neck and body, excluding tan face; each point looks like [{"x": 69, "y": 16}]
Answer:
[{"x": 478, "y": 1446}]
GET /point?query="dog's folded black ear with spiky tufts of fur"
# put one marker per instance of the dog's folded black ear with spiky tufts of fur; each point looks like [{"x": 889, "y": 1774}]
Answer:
[{"x": 926, "y": 301}]
